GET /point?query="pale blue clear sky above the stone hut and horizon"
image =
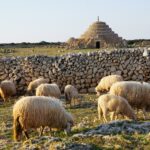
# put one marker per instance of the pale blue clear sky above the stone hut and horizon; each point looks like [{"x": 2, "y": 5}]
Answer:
[{"x": 58, "y": 20}]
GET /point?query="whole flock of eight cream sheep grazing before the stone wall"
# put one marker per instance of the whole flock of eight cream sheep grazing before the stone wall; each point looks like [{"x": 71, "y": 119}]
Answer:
[{"x": 46, "y": 109}]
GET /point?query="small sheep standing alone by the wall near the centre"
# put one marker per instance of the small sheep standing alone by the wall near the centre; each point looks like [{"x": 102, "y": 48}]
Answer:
[{"x": 71, "y": 94}]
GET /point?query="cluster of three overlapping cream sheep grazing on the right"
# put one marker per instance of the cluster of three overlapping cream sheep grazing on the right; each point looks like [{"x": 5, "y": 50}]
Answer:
[{"x": 122, "y": 97}]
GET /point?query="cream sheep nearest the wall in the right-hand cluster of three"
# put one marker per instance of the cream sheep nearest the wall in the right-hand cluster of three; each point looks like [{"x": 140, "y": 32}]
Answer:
[{"x": 106, "y": 82}]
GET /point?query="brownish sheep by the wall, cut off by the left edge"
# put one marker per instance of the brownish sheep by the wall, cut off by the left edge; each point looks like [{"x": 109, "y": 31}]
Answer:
[{"x": 7, "y": 89}]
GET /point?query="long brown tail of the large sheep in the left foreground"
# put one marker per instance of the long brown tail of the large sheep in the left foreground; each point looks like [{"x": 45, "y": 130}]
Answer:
[{"x": 17, "y": 129}]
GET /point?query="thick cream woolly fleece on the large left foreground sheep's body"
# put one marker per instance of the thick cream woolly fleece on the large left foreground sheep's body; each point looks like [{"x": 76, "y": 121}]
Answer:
[{"x": 35, "y": 111}]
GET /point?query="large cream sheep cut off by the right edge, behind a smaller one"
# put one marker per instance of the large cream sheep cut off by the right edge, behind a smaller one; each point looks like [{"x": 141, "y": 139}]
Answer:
[{"x": 136, "y": 93}]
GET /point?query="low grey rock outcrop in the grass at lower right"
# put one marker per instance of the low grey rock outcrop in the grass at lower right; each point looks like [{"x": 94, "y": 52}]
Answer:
[{"x": 117, "y": 127}]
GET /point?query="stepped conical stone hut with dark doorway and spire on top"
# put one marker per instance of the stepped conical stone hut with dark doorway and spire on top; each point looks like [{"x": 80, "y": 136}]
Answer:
[{"x": 98, "y": 35}]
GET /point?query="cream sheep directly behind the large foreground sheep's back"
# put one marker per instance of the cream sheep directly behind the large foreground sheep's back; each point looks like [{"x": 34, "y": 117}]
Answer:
[{"x": 48, "y": 90}]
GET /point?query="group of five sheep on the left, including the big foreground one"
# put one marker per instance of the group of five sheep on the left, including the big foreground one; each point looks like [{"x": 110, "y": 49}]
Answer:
[{"x": 44, "y": 109}]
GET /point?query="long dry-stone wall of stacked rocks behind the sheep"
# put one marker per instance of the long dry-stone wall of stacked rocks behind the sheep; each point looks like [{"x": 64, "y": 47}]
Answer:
[{"x": 84, "y": 71}]
